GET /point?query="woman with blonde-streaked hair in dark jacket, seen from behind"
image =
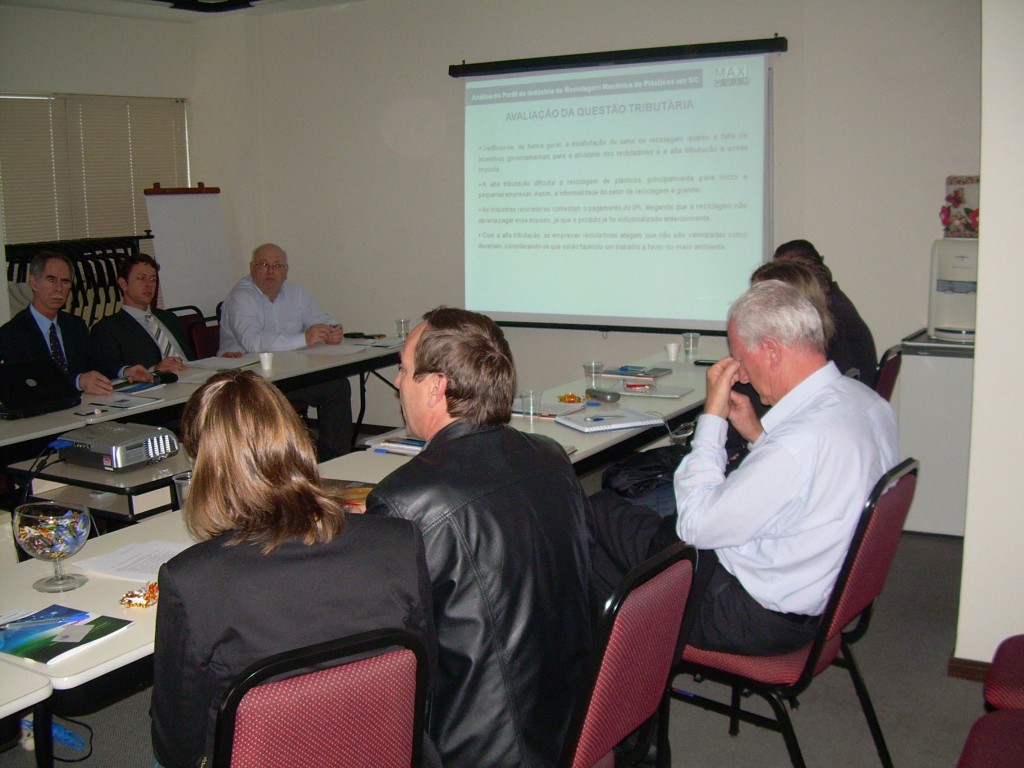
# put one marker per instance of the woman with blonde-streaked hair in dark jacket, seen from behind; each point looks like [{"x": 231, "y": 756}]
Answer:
[{"x": 279, "y": 565}]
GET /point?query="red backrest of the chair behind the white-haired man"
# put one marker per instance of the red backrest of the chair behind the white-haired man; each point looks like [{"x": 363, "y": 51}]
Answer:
[{"x": 870, "y": 558}]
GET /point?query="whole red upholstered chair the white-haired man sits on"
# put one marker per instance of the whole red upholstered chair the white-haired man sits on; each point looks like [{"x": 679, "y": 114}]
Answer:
[{"x": 781, "y": 679}]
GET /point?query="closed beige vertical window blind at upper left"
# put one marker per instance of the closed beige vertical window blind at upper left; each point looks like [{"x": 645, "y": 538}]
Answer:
[{"x": 75, "y": 166}]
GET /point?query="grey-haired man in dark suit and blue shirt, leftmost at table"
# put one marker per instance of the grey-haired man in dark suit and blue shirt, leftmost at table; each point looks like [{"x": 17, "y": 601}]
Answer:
[{"x": 41, "y": 330}]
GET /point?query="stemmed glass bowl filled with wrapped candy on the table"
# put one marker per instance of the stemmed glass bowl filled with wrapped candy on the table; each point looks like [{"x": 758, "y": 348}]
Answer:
[{"x": 49, "y": 531}]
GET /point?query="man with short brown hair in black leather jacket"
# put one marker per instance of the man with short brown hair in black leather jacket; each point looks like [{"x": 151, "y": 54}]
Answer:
[{"x": 508, "y": 546}]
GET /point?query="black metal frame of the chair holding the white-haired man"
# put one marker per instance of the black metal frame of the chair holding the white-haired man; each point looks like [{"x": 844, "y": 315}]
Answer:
[{"x": 779, "y": 696}]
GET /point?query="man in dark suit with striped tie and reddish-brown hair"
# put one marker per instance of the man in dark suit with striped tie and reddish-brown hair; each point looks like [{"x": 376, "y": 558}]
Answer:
[{"x": 140, "y": 338}]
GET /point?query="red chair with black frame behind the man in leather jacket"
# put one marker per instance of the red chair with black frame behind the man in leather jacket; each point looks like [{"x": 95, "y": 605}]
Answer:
[{"x": 634, "y": 651}]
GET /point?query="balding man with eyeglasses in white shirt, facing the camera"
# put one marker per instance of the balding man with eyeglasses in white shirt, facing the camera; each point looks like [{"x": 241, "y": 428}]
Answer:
[{"x": 265, "y": 314}]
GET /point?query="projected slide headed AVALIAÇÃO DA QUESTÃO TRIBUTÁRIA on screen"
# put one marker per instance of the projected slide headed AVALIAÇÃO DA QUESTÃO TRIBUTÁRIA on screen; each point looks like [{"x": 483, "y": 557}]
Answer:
[{"x": 634, "y": 194}]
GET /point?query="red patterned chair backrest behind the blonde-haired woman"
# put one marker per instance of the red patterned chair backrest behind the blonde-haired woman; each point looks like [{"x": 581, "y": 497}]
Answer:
[{"x": 357, "y": 703}]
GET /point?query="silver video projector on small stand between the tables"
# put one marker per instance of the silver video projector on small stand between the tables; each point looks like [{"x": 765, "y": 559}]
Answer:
[{"x": 118, "y": 447}]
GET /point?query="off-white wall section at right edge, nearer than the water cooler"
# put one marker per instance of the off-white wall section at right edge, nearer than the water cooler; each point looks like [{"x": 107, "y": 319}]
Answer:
[{"x": 993, "y": 592}]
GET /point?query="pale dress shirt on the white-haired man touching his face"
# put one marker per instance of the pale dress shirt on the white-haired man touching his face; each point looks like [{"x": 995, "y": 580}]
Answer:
[{"x": 783, "y": 522}]
